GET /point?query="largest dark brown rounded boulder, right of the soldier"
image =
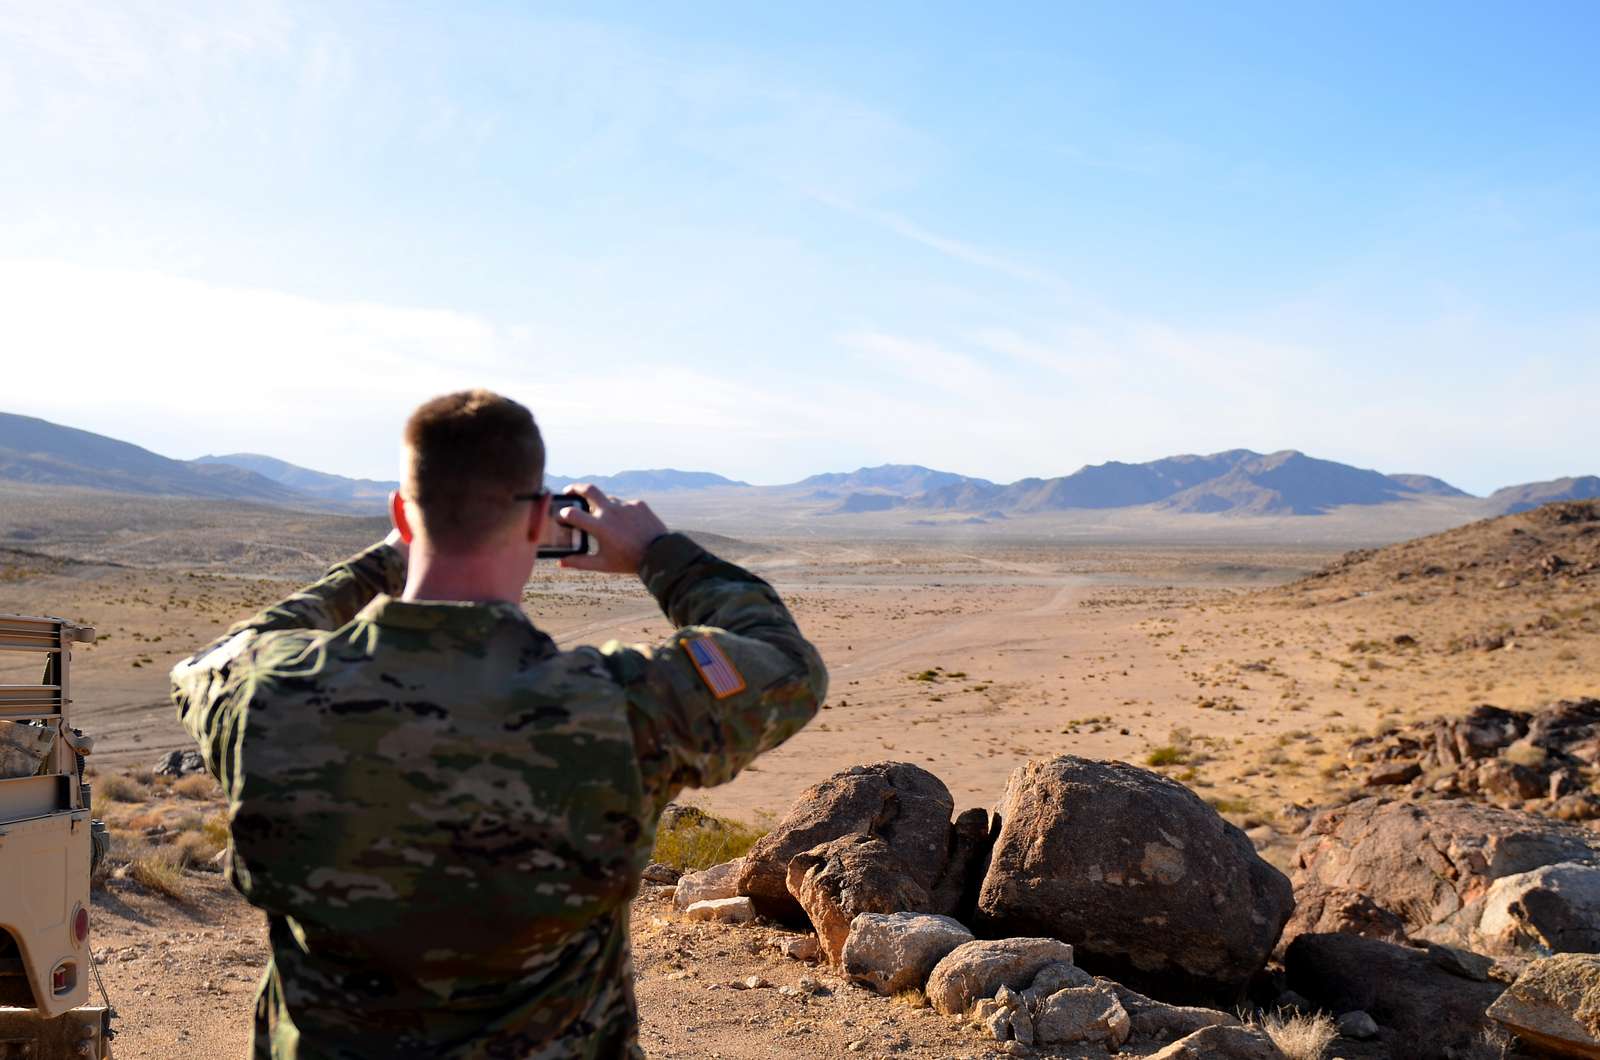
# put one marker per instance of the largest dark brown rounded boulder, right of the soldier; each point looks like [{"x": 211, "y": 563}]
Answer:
[{"x": 1138, "y": 872}]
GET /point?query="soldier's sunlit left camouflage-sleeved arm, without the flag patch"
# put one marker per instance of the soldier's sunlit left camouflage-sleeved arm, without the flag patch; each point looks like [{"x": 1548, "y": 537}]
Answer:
[{"x": 209, "y": 686}]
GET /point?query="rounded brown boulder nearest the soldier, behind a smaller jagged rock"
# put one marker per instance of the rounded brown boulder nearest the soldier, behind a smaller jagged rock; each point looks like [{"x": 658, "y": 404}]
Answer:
[{"x": 900, "y": 803}]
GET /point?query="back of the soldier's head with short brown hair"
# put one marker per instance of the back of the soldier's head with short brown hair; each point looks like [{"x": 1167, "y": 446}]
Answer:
[{"x": 468, "y": 454}]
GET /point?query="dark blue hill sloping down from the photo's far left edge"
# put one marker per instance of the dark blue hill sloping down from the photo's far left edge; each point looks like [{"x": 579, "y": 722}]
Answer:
[{"x": 47, "y": 454}]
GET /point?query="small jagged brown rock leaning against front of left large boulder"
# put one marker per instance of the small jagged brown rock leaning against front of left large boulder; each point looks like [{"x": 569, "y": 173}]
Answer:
[{"x": 838, "y": 881}]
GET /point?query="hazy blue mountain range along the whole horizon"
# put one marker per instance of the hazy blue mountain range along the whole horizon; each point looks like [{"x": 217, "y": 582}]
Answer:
[{"x": 1241, "y": 483}]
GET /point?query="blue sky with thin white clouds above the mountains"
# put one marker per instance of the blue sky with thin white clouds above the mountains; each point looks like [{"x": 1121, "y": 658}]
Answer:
[{"x": 780, "y": 239}]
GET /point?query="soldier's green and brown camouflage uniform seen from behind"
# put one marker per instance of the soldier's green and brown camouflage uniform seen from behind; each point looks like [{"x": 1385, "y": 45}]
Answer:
[{"x": 446, "y": 817}]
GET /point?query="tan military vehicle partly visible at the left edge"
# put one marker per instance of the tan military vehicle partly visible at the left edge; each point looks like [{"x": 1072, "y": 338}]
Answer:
[{"x": 49, "y": 848}]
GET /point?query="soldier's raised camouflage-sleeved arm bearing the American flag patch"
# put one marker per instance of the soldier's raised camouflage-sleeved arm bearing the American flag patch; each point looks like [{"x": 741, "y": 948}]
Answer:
[{"x": 737, "y": 680}]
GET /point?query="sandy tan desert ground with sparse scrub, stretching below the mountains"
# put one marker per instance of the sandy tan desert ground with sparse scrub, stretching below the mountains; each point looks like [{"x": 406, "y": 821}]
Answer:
[{"x": 1218, "y": 664}]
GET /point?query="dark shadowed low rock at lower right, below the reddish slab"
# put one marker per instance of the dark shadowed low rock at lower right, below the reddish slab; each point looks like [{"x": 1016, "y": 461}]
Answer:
[{"x": 1402, "y": 989}]
